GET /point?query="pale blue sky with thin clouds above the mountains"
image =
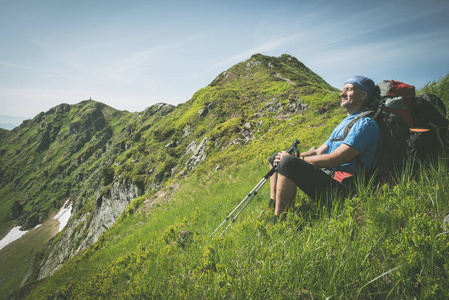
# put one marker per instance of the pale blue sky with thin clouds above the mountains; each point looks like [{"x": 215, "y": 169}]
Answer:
[{"x": 133, "y": 54}]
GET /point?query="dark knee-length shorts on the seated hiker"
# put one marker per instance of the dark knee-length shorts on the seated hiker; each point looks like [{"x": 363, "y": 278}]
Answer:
[{"x": 310, "y": 179}]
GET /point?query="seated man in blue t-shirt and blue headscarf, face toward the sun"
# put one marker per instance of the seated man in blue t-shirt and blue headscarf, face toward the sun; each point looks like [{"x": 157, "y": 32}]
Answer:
[{"x": 343, "y": 156}]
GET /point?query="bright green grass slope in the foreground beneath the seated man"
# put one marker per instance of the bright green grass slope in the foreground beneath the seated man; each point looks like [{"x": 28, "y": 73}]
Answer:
[{"x": 382, "y": 244}]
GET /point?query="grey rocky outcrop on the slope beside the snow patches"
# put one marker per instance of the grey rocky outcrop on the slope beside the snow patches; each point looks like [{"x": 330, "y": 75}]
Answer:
[{"x": 84, "y": 231}]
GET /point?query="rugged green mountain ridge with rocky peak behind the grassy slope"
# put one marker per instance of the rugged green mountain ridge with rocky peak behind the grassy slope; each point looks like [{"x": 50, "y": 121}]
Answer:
[{"x": 101, "y": 158}]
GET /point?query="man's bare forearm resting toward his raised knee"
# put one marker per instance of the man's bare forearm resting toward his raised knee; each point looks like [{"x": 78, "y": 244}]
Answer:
[{"x": 341, "y": 155}]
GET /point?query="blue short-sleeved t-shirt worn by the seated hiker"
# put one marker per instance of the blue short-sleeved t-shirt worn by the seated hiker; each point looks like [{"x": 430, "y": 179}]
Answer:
[{"x": 363, "y": 136}]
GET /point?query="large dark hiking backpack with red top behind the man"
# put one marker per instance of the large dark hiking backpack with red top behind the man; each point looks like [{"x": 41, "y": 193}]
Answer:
[{"x": 398, "y": 112}]
